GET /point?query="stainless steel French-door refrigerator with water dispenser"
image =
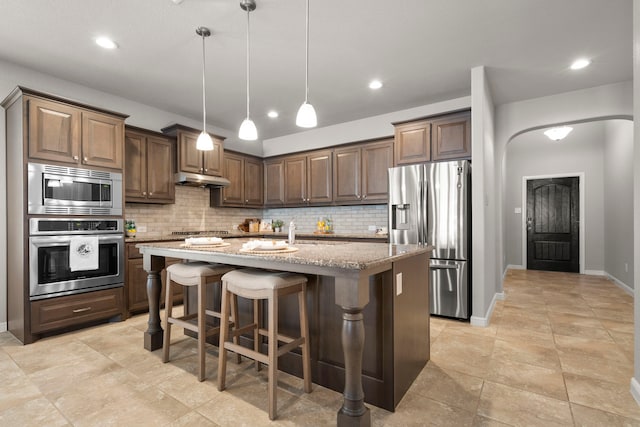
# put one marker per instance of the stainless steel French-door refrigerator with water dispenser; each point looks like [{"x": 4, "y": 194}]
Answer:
[{"x": 430, "y": 204}]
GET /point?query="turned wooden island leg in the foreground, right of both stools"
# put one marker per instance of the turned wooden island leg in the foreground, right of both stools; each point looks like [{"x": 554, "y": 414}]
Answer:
[{"x": 352, "y": 294}]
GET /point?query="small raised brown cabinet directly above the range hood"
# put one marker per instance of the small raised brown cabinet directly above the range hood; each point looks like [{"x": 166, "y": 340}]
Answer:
[{"x": 189, "y": 158}]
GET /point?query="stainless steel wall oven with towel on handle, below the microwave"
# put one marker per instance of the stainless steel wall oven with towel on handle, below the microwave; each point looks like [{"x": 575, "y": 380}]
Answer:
[{"x": 50, "y": 251}]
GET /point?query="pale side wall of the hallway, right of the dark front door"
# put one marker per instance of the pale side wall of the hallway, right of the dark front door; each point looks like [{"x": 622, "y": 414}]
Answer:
[{"x": 618, "y": 201}]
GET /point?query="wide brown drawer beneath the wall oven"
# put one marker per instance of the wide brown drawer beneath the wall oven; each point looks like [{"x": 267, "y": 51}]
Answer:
[{"x": 56, "y": 313}]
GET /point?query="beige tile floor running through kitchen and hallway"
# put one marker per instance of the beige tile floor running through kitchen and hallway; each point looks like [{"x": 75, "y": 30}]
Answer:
[{"x": 558, "y": 352}]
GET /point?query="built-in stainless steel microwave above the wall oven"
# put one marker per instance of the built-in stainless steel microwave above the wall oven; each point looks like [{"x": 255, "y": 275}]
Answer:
[{"x": 62, "y": 190}]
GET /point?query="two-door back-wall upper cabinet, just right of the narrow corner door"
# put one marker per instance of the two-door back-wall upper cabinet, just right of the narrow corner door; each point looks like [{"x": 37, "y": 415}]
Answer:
[{"x": 308, "y": 178}]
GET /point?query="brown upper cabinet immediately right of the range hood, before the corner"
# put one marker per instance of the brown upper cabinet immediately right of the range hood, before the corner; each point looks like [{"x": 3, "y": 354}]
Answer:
[{"x": 246, "y": 176}]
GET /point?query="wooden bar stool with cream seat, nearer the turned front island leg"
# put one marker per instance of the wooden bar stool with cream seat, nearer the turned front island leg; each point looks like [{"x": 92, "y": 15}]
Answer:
[{"x": 258, "y": 285}]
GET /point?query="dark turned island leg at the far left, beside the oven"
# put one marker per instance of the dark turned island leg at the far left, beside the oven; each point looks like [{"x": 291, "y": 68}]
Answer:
[{"x": 153, "y": 335}]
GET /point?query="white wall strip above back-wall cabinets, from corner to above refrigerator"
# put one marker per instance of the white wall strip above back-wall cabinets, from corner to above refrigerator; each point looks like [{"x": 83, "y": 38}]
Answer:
[{"x": 358, "y": 130}]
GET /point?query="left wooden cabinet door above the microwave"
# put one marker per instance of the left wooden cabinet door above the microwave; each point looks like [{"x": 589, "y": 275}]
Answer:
[{"x": 54, "y": 131}]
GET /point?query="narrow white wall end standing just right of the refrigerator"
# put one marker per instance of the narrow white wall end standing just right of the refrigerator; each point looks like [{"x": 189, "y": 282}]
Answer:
[{"x": 485, "y": 286}]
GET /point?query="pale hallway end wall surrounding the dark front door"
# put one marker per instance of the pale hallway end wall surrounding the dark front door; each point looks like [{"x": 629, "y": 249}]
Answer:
[{"x": 533, "y": 154}]
